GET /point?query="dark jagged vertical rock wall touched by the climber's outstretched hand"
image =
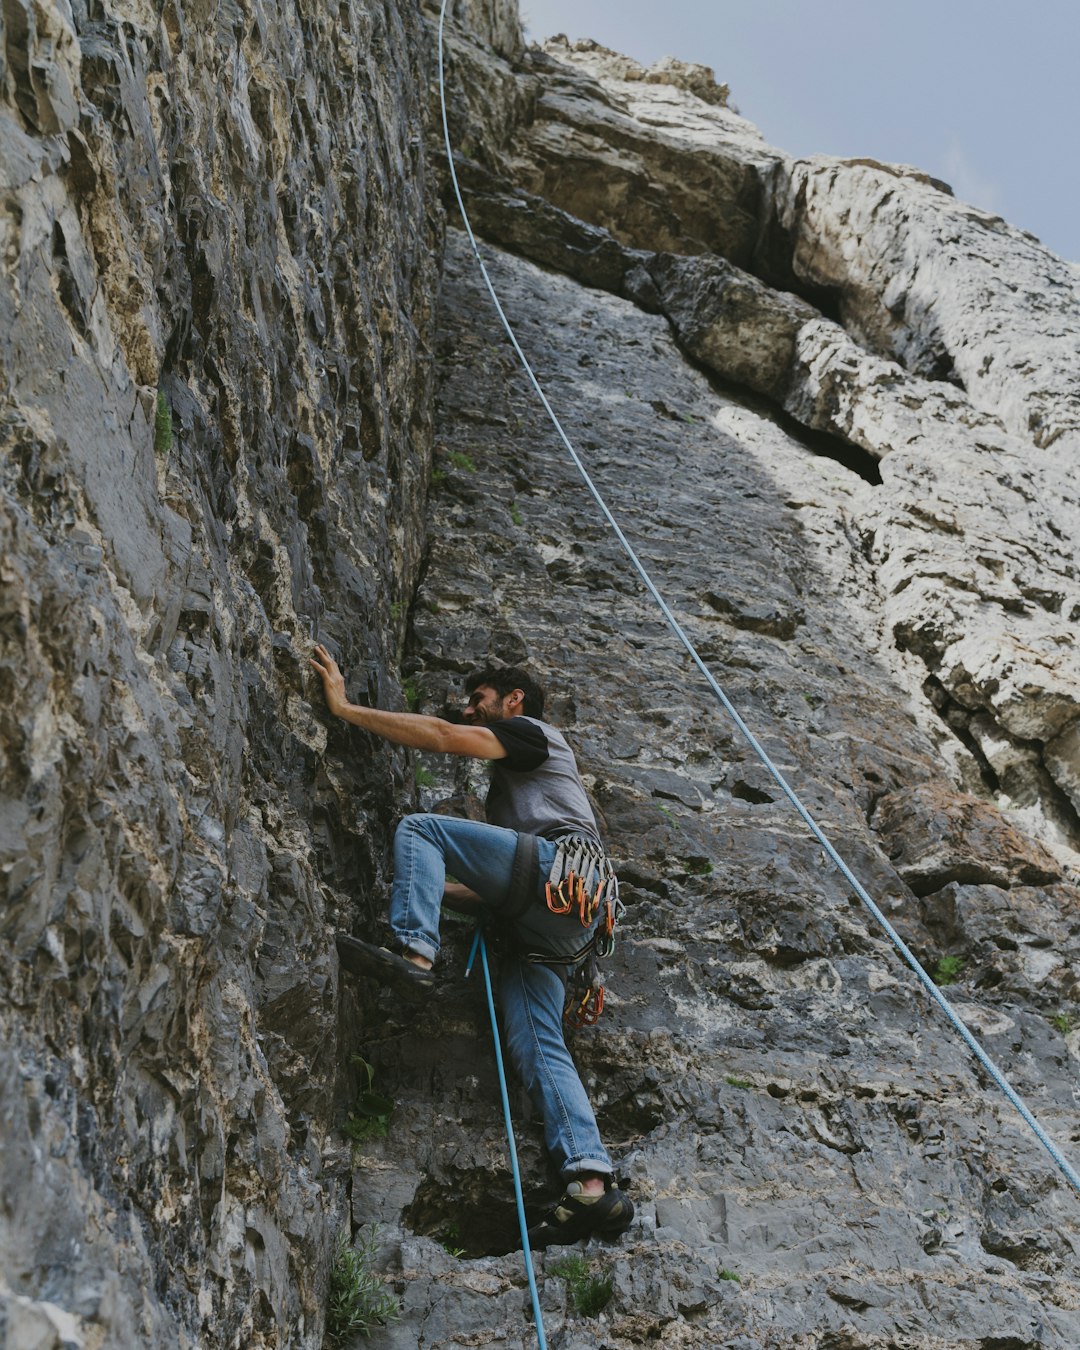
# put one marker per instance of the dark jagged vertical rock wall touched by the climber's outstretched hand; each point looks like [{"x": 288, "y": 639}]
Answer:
[{"x": 217, "y": 307}]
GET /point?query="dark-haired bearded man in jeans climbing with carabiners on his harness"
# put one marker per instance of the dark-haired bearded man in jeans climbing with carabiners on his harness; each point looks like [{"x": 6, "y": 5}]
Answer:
[{"x": 538, "y": 867}]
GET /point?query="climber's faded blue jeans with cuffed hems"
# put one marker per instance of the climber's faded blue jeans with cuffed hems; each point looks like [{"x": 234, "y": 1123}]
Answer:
[{"x": 531, "y": 997}]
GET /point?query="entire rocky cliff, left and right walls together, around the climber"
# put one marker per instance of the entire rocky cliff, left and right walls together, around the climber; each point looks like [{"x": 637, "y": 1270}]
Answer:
[{"x": 836, "y": 414}]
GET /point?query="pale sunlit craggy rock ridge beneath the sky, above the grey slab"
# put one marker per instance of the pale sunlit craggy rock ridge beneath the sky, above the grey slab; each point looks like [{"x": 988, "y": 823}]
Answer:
[{"x": 971, "y": 475}]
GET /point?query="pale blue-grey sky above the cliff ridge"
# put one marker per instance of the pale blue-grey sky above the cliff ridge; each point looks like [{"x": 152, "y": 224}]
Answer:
[{"x": 983, "y": 94}]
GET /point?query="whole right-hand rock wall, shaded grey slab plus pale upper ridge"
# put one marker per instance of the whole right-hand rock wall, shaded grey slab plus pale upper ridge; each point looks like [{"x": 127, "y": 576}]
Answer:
[{"x": 816, "y": 1159}]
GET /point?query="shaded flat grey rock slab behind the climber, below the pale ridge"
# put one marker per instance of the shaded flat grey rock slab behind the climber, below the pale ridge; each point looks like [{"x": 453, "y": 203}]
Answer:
[{"x": 785, "y": 1104}]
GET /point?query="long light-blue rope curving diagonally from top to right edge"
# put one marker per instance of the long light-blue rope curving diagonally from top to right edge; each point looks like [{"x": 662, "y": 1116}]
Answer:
[{"x": 1067, "y": 1170}]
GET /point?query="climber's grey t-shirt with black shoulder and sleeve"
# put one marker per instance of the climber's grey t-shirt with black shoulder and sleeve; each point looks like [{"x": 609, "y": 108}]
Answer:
[{"x": 537, "y": 788}]
